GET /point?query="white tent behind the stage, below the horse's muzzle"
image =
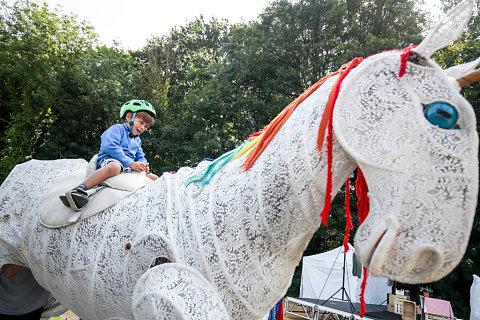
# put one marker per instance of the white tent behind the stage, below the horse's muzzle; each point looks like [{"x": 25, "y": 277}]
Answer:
[{"x": 322, "y": 277}]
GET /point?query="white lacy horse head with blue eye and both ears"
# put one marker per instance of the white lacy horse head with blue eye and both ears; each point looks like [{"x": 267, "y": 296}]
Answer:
[{"x": 415, "y": 139}]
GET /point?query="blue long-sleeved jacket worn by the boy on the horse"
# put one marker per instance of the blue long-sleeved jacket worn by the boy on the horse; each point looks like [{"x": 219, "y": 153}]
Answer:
[{"x": 117, "y": 144}]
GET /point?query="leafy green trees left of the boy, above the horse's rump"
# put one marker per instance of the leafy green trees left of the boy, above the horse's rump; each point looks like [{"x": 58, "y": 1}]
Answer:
[{"x": 60, "y": 91}]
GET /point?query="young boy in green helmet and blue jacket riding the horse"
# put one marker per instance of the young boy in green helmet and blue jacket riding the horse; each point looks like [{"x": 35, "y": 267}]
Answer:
[{"x": 120, "y": 151}]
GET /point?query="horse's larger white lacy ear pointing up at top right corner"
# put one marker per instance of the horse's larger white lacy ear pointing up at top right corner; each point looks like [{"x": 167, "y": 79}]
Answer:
[{"x": 447, "y": 30}]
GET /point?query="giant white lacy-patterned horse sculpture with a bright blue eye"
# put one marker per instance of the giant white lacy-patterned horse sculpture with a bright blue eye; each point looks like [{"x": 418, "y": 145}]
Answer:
[{"x": 234, "y": 247}]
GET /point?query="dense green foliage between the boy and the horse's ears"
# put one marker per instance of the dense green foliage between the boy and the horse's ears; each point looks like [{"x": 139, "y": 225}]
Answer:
[{"x": 216, "y": 83}]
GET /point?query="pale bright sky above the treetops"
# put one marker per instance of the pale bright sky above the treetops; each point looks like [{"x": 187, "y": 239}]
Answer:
[{"x": 132, "y": 22}]
